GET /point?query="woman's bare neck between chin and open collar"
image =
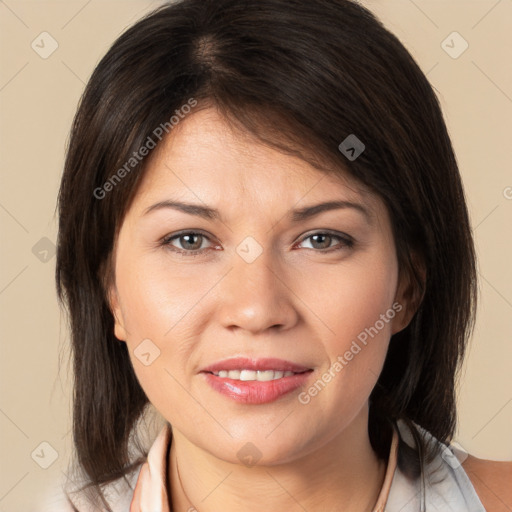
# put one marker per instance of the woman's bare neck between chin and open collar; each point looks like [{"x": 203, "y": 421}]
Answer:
[{"x": 344, "y": 474}]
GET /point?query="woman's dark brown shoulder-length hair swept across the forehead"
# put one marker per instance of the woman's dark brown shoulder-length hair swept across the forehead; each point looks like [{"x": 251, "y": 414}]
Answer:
[{"x": 300, "y": 76}]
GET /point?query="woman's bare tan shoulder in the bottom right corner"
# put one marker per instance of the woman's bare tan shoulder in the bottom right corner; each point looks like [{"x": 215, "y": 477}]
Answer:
[{"x": 492, "y": 482}]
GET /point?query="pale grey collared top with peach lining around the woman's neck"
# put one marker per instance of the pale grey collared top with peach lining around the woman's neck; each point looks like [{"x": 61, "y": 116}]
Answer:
[{"x": 445, "y": 486}]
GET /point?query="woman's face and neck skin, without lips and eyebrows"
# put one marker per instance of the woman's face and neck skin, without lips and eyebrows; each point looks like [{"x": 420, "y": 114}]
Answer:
[{"x": 296, "y": 301}]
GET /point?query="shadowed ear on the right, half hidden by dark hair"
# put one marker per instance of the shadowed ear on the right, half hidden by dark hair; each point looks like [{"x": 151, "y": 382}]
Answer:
[{"x": 409, "y": 294}]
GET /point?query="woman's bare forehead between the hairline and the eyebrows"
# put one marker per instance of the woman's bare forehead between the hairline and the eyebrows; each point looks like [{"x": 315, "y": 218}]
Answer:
[{"x": 204, "y": 158}]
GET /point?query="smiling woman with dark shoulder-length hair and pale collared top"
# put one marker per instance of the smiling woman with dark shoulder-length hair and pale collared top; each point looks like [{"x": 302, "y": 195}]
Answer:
[{"x": 263, "y": 236}]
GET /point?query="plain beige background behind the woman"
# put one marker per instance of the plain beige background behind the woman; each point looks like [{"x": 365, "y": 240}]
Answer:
[{"x": 38, "y": 98}]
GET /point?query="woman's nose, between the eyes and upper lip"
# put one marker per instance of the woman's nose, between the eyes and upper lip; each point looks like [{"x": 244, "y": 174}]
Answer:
[{"x": 256, "y": 297}]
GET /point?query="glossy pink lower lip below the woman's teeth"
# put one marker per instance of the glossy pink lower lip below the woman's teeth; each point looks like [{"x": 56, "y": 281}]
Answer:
[{"x": 256, "y": 392}]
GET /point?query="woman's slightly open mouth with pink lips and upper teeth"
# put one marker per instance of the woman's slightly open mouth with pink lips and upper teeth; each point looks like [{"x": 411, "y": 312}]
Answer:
[{"x": 254, "y": 382}]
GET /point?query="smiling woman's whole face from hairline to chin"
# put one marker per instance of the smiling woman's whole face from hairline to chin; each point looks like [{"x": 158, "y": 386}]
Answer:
[{"x": 297, "y": 304}]
